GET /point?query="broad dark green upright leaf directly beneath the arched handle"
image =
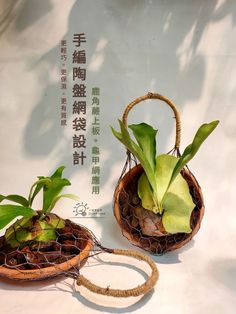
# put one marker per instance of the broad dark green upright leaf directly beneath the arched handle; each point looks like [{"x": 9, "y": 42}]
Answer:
[{"x": 146, "y": 137}]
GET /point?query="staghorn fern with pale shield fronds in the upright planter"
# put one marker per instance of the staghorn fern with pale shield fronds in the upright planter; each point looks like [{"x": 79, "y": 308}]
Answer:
[{"x": 161, "y": 187}]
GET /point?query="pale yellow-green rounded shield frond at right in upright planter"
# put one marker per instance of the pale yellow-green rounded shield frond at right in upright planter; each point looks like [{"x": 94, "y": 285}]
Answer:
[{"x": 178, "y": 206}]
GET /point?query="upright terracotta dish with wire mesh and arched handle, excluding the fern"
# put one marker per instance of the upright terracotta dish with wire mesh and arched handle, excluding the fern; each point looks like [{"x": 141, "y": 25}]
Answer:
[{"x": 136, "y": 227}]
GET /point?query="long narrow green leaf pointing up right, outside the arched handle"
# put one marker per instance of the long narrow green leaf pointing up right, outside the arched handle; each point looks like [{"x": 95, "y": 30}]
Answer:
[{"x": 203, "y": 132}]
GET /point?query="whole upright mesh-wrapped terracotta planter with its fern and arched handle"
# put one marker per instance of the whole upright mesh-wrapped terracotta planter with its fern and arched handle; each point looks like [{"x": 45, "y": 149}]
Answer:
[{"x": 158, "y": 202}]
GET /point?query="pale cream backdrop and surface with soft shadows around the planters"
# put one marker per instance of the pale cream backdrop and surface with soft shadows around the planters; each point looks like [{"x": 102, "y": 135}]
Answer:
[{"x": 182, "y": 49}]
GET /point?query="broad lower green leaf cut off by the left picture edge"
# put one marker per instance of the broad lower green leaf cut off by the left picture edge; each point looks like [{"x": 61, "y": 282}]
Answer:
[{"x": 9, "y": 212}]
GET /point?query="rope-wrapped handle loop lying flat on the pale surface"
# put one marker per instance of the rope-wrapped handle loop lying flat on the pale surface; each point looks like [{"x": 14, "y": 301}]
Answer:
[{"x": 139, "y": 290}]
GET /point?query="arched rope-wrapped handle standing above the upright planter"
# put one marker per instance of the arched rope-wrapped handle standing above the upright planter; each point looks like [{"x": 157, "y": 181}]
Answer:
[{"x": 168, "y": 102}]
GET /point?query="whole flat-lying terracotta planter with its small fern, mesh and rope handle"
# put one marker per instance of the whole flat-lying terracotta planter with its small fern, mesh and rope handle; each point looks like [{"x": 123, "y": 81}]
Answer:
[{"x": 42, "y": 245}]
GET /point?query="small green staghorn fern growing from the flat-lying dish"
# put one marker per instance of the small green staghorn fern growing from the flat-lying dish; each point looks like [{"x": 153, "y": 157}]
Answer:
[{"x": 34, "y": 225}]
